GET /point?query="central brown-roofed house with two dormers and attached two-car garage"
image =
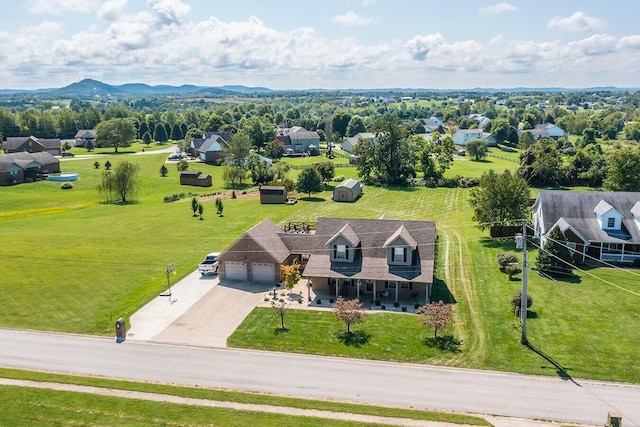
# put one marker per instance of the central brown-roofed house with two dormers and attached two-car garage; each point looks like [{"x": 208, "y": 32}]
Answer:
[{"x": 359, "y": 258}]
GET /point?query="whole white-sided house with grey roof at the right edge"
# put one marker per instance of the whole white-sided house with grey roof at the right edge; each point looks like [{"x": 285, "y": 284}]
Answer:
[{"x": 598, "y": 225}]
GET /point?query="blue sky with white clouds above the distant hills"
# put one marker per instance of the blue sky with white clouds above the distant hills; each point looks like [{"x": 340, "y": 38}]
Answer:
[{"x": 332, "y": 44}]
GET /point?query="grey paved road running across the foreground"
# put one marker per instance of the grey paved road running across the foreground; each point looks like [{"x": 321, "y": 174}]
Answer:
[{"x": 326, "y": 378}]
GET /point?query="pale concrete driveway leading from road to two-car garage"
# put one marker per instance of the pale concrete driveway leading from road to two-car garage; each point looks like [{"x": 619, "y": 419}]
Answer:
[{"x": 200, "y": 312}]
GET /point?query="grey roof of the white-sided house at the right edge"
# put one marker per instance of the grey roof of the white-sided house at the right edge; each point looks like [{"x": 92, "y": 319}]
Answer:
[{"x": 577, "y": 209}]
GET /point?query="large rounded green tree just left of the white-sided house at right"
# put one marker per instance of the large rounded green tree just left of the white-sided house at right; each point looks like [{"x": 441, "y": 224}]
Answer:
[{"x": 500, "y": 199}]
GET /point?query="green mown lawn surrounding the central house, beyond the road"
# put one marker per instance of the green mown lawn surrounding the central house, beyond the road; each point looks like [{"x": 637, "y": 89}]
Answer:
[{"x": 73, "y": 264}]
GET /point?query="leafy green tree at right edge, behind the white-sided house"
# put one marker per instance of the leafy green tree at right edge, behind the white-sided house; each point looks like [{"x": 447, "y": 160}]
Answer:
[{"x": 623, "y": 170}]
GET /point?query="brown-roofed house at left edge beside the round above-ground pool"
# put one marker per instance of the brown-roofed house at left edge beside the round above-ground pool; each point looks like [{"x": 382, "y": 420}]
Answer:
[{"x": 17, "y": 168}]
